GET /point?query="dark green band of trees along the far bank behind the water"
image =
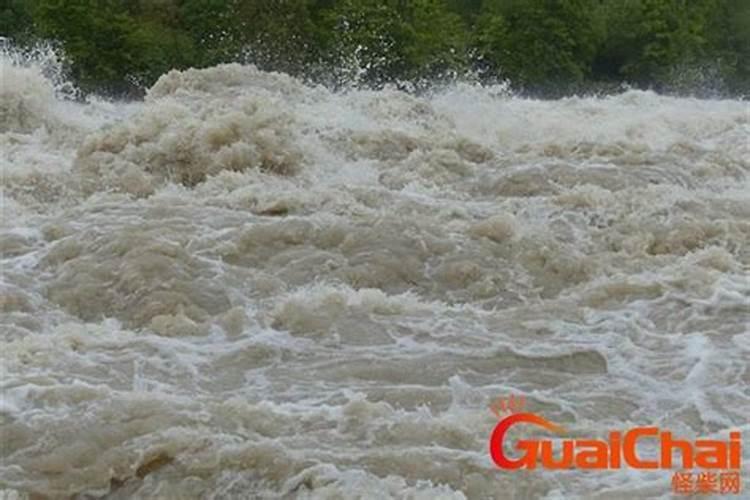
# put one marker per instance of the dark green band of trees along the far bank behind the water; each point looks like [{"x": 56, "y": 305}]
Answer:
[{"x": 543, "y": 47}]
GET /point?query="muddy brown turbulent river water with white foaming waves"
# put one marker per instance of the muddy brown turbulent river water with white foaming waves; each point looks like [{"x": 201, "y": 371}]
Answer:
[{"x": 244, "y": 286}]
